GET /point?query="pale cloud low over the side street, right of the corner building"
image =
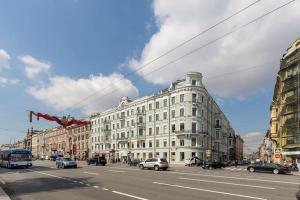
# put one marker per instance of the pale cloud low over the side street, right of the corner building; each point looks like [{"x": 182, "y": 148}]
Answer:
[{"x": 252, "y": 141}]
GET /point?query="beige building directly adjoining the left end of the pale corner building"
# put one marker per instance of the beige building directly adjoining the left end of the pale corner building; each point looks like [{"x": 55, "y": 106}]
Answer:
[{"x": 79, "y": 141}]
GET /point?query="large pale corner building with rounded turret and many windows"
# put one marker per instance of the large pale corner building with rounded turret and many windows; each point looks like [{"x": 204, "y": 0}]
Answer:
[{"x": 177, "y": 123}]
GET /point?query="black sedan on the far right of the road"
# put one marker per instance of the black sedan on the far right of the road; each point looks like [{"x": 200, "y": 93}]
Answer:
[{"x": 268, "y": 167}]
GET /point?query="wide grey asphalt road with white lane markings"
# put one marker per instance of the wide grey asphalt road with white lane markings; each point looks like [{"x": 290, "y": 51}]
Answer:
[{"x": 44, "y": 182}]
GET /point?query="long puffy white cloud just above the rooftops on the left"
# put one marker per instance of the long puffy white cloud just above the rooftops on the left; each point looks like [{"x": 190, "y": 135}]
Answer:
[{"x": 63, "y": 92}]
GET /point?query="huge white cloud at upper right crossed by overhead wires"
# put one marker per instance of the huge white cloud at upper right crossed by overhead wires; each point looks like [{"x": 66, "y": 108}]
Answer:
[{"x": 260, "y": 44}]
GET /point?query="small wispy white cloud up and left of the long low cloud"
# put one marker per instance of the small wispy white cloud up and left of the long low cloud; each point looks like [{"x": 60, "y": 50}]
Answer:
[{"x": 33, "y": 66}]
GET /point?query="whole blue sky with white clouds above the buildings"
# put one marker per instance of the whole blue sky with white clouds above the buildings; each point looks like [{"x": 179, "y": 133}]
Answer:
[{"x": 79, "y": 57}]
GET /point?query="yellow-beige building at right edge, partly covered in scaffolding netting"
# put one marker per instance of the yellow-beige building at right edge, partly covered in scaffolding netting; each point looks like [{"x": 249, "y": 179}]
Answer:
[{"x": 284, "y": 123}]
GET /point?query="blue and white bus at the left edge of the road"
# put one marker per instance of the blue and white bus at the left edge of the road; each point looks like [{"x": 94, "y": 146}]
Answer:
[{"x": 11, "y": 158}]
